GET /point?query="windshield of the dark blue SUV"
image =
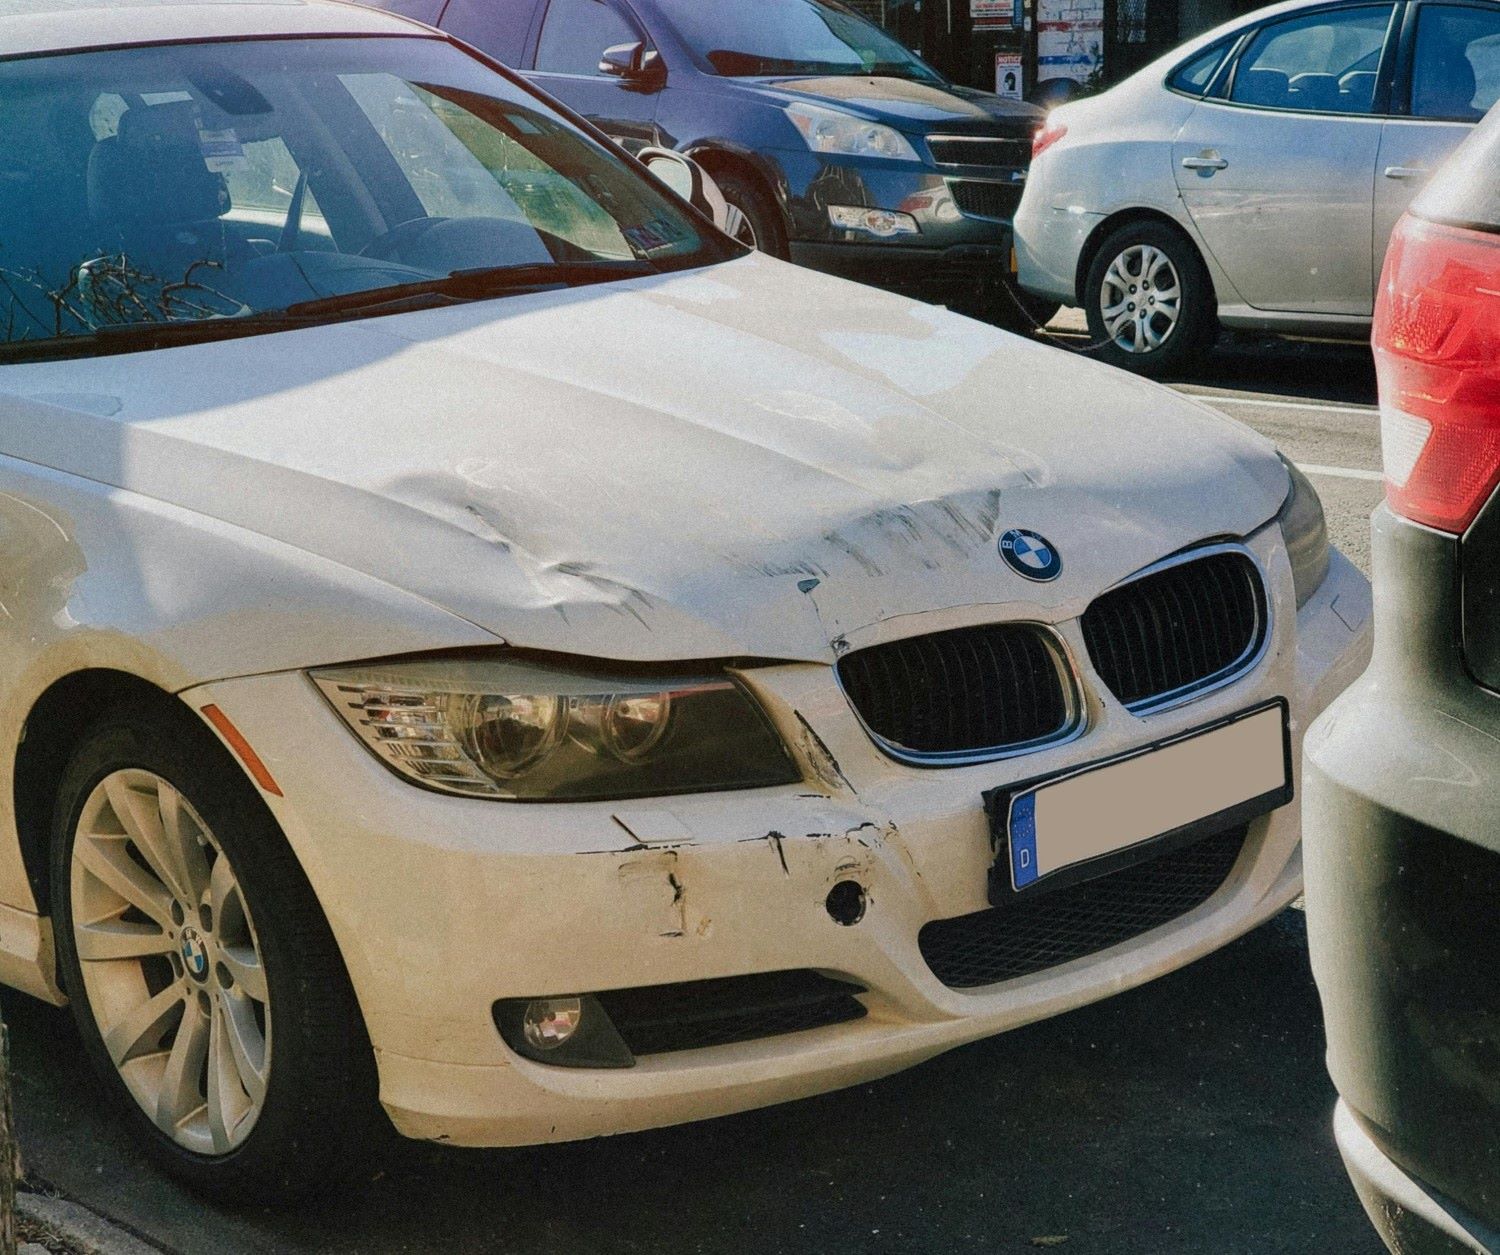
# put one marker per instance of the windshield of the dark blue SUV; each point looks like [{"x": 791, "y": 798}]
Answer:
[{"x": 754, "y": 38}]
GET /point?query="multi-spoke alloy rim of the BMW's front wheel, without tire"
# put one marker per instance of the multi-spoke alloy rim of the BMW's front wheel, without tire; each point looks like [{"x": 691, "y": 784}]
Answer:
[{"x": 170, "y": 962}]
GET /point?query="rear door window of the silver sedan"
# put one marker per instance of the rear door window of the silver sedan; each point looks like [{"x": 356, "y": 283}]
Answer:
[{"x": 1324, "y": 64}]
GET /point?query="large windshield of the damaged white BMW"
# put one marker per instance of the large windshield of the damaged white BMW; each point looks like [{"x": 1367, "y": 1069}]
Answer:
[{"x": 226, "y": 182}]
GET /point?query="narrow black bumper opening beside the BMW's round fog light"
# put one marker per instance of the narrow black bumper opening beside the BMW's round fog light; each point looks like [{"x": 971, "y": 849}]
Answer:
[{"x": 700, "y": 1014}]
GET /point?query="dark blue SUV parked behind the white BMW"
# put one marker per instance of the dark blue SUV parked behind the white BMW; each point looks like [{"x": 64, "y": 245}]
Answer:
[{"x": 842, "y": 149}]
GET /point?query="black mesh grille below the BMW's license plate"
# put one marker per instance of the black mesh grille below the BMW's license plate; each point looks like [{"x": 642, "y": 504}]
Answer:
[{"x": 1033, "y": 935}]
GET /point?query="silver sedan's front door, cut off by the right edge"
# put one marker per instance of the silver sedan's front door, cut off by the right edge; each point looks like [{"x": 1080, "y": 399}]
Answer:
[{"x": 1450, "y": 77}]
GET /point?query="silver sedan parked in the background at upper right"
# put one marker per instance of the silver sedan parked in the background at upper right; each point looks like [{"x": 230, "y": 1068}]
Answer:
[{"x": 1252, "y": 179}]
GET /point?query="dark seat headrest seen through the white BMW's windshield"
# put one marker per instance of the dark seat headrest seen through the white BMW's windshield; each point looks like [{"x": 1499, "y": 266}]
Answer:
[{"x": 154, "y": 172}]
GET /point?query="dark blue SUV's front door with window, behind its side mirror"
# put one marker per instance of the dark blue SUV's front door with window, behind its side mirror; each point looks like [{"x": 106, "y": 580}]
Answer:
[{"x": 574, "y": 38}]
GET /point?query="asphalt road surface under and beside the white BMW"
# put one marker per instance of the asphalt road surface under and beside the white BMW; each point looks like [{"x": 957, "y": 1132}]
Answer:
[{"x": 1187, "y": 1116}]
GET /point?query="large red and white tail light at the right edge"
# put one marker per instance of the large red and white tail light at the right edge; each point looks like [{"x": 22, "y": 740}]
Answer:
[{"x": 1438, "y": 353}]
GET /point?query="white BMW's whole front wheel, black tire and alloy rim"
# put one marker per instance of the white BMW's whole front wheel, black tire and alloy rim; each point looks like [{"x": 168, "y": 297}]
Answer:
[{"x": 224, "y": 1001}]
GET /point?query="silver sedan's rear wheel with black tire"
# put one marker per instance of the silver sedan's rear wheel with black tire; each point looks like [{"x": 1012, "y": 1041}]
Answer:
[{"x": 1141, "y": 262}]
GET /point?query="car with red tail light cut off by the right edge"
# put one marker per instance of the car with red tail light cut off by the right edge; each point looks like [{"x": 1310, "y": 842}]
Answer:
[{"x": 1405, "y": 770}]
